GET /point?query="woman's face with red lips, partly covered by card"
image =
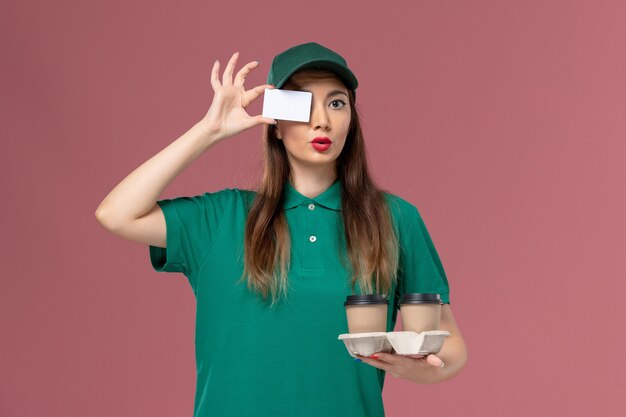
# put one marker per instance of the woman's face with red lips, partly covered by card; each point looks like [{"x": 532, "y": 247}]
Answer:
[{"x": 330, "y": 120}]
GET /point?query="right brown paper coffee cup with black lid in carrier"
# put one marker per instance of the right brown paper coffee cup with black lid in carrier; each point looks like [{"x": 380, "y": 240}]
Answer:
[{"x": 420, "y": 312}]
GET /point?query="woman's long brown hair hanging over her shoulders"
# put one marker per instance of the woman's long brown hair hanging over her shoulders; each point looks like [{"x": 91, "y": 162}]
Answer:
[{"x": 370, "y": 239}]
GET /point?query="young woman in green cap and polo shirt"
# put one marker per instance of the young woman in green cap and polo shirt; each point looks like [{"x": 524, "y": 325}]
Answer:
[{"x": 270, "y": 268}]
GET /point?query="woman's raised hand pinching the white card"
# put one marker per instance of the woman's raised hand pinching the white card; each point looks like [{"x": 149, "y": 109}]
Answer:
[{"x": 227, "y": 115}]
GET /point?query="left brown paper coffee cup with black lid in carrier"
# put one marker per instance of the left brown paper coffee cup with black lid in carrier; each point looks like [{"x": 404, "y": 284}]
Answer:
[{"x": 366, "y": 313}]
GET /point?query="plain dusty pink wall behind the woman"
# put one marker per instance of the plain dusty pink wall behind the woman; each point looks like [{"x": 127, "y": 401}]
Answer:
[{"x": 502, "y": 121}]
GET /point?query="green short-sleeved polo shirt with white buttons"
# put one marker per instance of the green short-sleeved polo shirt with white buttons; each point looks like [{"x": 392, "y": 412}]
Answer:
[{"x": 284, "y": 360}]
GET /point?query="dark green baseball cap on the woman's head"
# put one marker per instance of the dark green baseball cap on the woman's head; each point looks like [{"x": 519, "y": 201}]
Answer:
[{"x": 309, "y": 55}]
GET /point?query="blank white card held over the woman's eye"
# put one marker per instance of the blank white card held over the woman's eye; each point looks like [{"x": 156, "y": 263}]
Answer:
[{"x": 287, "y": 104}]
